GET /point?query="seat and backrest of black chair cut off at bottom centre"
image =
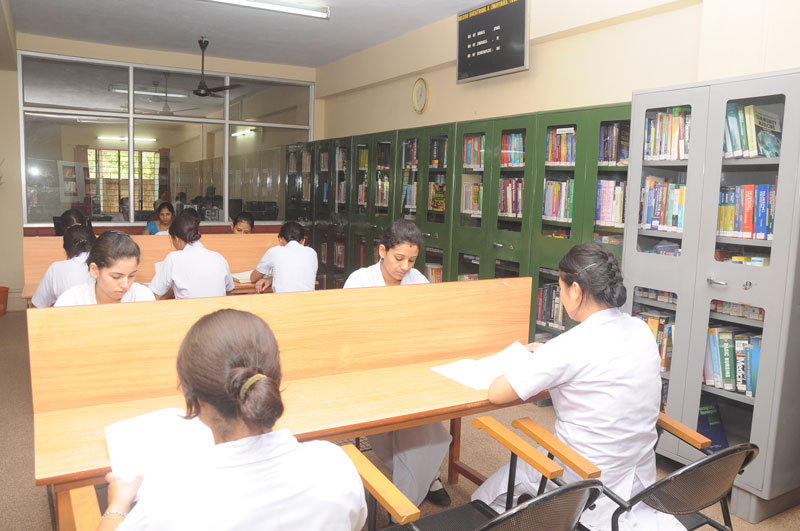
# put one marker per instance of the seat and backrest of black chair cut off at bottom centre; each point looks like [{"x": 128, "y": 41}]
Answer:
[{"x": 558, "y": 510}]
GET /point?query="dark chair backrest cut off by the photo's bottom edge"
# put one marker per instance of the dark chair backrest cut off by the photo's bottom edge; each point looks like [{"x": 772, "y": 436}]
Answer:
[{"x": 557, "y": 510}]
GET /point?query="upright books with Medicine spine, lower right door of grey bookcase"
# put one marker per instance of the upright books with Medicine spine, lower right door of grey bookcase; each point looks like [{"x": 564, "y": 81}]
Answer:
[{"x": 732, "y": 360}]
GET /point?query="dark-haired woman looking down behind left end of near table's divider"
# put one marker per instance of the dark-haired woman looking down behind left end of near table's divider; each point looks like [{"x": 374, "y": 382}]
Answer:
[{"x": 113, "y": 262}]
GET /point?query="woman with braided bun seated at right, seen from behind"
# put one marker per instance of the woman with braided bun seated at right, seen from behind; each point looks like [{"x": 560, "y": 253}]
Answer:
[{"x": 603, "y": 377}]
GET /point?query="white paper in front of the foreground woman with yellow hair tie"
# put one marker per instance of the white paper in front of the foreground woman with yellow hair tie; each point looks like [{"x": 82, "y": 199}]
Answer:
[{"x": 148, "y": 442}]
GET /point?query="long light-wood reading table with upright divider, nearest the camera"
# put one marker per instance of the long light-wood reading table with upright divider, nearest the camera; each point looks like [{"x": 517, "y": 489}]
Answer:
[{"x": 355, "y": 362}]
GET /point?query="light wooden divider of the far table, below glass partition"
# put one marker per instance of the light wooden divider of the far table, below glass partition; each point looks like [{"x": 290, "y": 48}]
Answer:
[{"x": 241, "y": 251}]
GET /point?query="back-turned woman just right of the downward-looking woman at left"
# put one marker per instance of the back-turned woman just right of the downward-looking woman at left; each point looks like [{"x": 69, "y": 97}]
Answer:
[{"x": 191, "y": 270}]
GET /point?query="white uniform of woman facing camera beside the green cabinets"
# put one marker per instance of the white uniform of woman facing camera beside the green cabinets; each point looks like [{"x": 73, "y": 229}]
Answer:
[{"x": 414, "y": 455}]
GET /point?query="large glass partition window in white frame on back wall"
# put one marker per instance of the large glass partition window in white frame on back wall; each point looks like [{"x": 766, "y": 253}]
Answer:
[{"x": 81, "y": 159}]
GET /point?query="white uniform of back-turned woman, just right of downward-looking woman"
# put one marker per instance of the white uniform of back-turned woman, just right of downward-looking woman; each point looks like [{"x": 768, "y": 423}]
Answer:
[{"x": 193, "y": 272}]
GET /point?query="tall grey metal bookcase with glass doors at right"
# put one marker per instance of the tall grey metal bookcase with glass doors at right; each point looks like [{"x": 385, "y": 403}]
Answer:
[{"x": 699, "y": 276}]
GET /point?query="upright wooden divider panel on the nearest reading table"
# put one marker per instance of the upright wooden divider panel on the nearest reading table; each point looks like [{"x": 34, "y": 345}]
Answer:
[{"x": 88, "y": 355}]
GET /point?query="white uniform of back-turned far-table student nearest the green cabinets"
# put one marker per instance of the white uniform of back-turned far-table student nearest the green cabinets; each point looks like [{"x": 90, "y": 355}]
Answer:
[{"x": 293, "y": 267}]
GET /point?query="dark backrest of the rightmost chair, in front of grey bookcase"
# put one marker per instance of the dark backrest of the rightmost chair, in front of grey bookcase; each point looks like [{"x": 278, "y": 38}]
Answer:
[{"x": 699, "y": 485}]
